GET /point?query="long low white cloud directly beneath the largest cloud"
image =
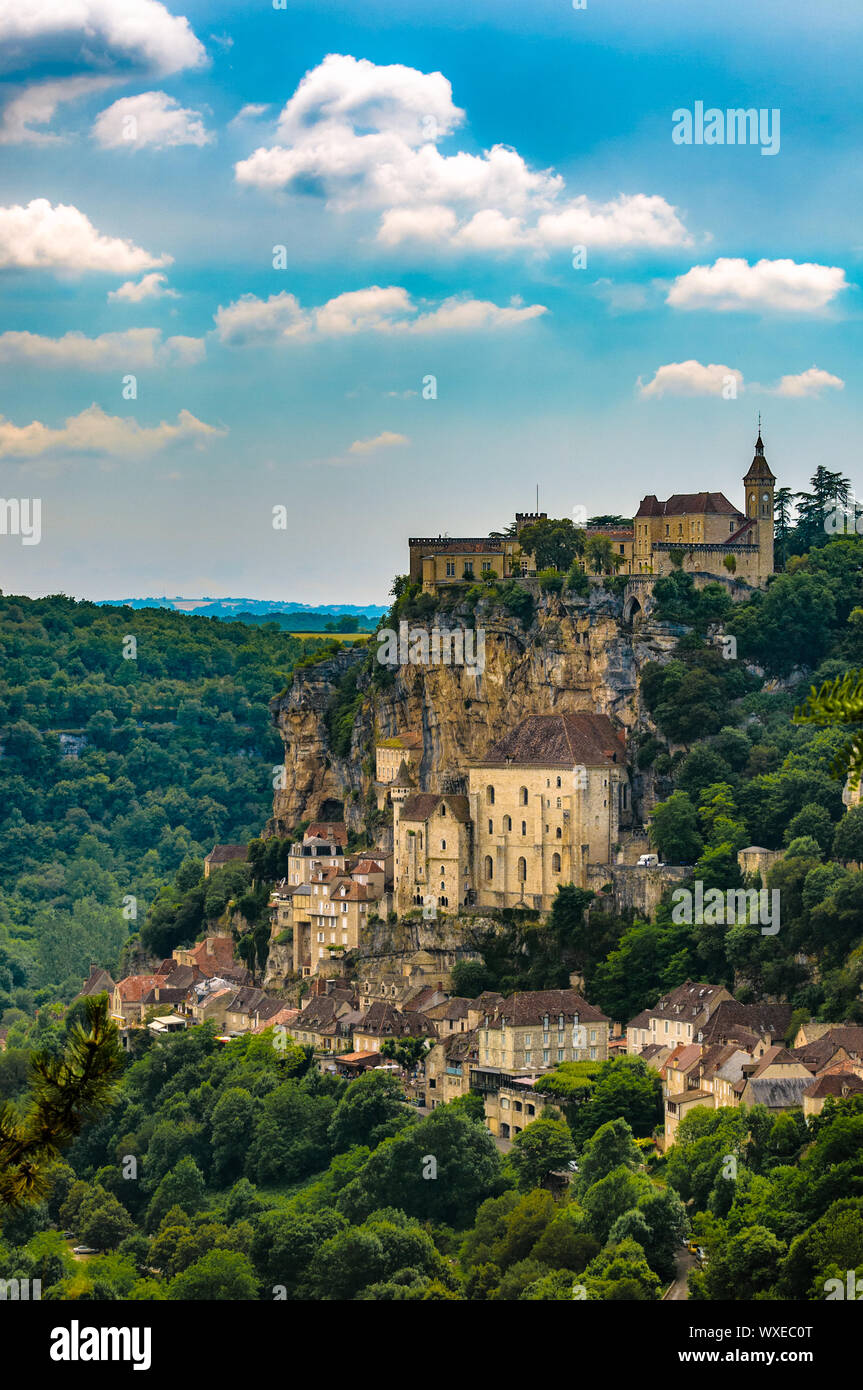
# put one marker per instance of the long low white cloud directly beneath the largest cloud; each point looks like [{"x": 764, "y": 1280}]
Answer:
[{"x": 251, "y": 322}]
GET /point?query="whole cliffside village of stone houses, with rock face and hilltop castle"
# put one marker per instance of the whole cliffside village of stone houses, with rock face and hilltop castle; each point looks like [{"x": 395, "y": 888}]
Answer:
[{"x": 366, "y": 931}]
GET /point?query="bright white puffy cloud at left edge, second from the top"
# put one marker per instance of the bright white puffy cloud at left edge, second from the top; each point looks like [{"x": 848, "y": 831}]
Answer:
[{"x": 63, "y": 238}]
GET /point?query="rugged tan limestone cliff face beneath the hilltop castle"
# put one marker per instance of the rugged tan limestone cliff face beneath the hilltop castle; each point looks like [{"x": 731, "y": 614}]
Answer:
[{"x": 577, "y": 655}]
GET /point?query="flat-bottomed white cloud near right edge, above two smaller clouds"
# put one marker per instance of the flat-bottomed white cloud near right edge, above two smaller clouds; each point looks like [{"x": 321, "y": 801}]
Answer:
[{"x": 733, "y": 284}]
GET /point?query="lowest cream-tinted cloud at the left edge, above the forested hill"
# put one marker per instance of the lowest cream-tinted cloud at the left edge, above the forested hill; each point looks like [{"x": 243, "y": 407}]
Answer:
[{"x": 94, "y": 432}]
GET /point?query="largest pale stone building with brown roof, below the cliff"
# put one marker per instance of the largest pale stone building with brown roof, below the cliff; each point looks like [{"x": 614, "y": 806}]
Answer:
[{"x": 547, "y": 801}]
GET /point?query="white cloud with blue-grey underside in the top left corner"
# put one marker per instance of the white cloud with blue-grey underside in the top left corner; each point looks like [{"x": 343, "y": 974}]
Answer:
[{"x": 95, "y": 44}]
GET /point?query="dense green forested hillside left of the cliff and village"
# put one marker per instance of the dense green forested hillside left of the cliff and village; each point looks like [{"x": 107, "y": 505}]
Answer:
[{"x": 117, "y": 768}]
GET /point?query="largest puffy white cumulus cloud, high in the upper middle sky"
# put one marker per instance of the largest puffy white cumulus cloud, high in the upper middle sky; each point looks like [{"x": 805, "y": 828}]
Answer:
[{"x": 366, "y": 137}]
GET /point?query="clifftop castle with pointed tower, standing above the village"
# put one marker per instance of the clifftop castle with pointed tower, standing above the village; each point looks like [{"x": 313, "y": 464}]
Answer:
[{"x": 702, "y": 533}]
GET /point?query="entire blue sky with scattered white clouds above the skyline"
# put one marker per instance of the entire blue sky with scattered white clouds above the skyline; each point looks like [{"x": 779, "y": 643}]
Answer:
[{"x": 284, "y": 287}]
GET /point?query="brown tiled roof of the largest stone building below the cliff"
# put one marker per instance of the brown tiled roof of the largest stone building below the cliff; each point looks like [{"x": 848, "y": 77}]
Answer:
[{"x": 559, "y": 742}]
